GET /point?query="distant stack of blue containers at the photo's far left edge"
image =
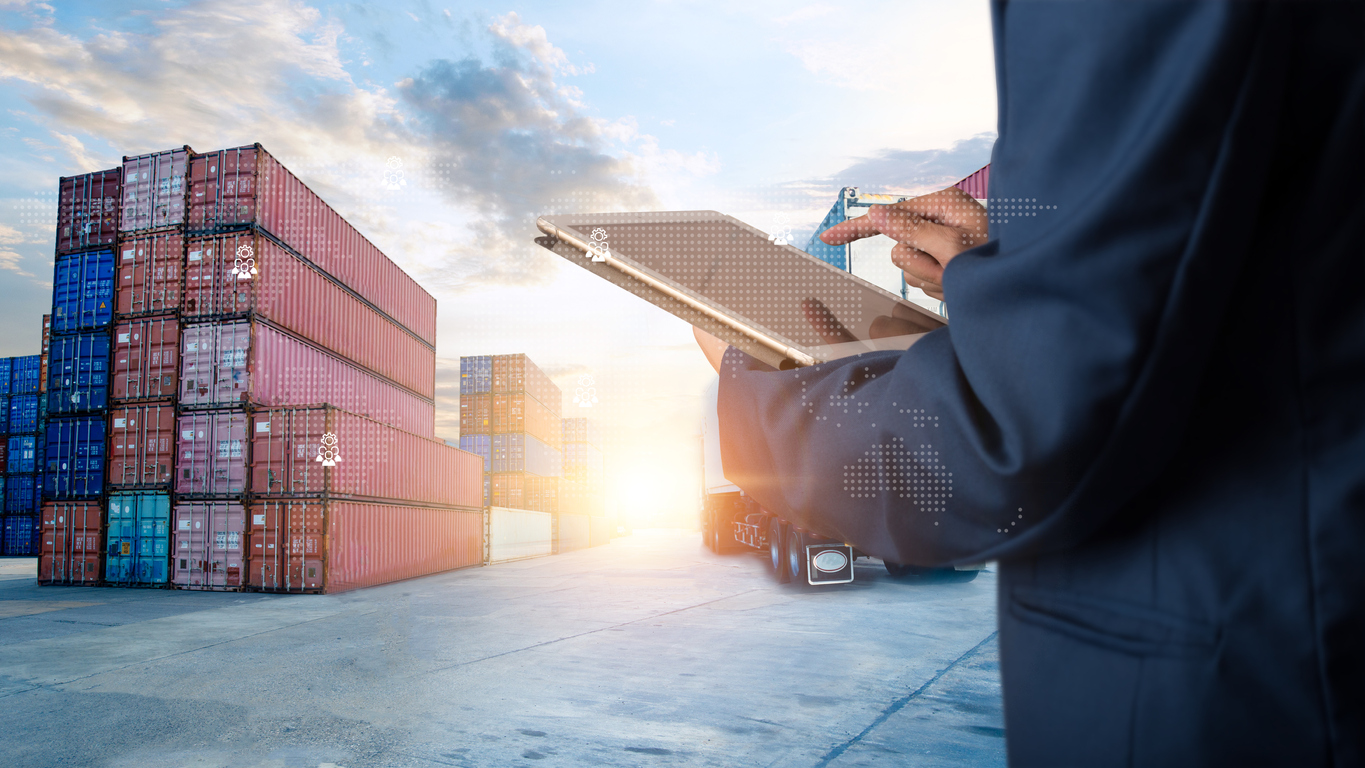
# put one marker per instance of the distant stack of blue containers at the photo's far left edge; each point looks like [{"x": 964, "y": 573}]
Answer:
[{"x": 21, "y": 458}]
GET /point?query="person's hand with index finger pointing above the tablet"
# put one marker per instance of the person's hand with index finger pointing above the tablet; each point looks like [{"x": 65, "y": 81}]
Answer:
[{"x": 929, "y": 231}]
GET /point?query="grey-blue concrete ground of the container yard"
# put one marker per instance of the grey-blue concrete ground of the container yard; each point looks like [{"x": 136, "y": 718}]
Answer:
[{"x": 650, "y": 651}]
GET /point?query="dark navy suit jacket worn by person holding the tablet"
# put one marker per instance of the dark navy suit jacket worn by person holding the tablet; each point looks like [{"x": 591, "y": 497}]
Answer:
[{"x": 1150, "y": 406}]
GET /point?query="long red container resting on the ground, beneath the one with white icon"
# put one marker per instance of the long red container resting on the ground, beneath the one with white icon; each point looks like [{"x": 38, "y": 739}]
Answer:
[{"x": 335, "y": 546}]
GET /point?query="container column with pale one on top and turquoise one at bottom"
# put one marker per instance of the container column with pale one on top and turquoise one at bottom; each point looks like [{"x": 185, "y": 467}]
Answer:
[{"x": 145, "y": 368}]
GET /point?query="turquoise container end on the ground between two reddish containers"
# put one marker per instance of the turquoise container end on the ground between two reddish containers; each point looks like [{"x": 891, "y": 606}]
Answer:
[{"x": 139, "y": 538}]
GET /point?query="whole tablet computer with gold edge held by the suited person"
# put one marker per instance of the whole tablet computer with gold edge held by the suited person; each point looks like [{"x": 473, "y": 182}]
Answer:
[{"x": 771, "y": 299}]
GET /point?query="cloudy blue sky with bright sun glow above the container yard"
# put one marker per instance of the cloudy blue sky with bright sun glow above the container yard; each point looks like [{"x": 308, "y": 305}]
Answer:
[{"x": 496, "y": 115}]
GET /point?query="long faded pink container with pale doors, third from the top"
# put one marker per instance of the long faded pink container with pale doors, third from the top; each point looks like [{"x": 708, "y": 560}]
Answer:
[{"x": 252, "y": 362}]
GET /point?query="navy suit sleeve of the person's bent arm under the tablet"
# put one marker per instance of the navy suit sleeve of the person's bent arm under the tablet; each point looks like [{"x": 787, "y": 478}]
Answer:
[{"x": 1127, "y": 160}]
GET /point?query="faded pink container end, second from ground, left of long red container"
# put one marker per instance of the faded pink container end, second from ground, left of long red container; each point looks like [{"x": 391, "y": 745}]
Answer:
[{"x": 212, "y": 448}]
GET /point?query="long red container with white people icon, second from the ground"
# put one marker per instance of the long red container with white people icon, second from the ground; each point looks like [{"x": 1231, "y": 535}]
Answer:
[{"x": 321, "y": 451}]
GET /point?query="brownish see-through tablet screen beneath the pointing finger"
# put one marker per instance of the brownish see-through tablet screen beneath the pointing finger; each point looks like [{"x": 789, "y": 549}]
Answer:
[{"x": 777, "y": 290}]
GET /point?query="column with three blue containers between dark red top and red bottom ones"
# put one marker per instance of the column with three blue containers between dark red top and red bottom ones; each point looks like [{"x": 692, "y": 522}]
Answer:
[{"x": 78, "y": 377}]
